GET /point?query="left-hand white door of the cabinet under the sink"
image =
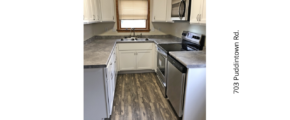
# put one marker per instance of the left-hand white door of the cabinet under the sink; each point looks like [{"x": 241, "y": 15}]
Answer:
[{"x": 127, "y": 60}]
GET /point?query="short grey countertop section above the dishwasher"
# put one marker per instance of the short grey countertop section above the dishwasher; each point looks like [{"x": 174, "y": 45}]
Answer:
[{"x": 190, "y": 59}]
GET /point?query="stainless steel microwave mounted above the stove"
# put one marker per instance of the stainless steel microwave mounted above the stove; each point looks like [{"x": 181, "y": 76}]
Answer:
[{"x": 180, "y": 10}]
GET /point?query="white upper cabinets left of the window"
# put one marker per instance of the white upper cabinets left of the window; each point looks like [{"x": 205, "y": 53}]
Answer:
[{"x": 98, "y": 11}]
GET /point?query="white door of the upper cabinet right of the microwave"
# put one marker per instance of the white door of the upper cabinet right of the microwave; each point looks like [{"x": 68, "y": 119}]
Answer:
[{"x": 195, "y": 11}]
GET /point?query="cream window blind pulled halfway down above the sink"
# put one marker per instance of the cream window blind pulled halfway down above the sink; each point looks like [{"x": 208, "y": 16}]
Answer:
[{"x": 133, "y": 9}]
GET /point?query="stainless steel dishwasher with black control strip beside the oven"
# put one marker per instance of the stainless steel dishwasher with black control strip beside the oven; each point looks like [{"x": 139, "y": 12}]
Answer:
[{"x": 175, "y": 84}]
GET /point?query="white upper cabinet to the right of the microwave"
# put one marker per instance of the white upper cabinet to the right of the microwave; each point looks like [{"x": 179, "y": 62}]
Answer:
[{"x": 198, "y": 12}]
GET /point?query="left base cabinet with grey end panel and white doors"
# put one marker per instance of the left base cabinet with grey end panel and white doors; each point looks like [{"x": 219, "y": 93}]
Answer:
[{"x": 99, "y": 90}]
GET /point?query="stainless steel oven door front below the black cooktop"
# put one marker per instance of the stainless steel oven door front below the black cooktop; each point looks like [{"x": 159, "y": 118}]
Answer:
[{"x": 161, "y": 69}]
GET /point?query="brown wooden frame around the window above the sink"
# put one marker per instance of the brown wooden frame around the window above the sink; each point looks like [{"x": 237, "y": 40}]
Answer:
[{"x": 119, "y": 29}]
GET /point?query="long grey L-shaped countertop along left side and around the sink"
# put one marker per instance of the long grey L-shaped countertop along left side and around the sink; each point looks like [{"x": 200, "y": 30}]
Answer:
[{"x": 97, "y": 50}]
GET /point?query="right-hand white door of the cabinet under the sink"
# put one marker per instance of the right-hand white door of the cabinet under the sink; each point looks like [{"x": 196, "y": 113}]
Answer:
[{"x": 144, "y": 59}]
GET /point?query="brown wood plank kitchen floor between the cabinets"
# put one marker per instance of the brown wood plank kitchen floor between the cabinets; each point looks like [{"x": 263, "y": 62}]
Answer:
[{"x": 138, "y": 97}]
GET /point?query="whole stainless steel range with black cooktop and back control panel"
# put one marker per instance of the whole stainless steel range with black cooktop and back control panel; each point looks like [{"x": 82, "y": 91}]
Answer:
[{"x": 190, "y": 42}]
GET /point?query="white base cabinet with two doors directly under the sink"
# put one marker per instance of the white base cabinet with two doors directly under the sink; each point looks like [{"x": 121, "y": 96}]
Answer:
[{"x": 136, "y": 56}]
